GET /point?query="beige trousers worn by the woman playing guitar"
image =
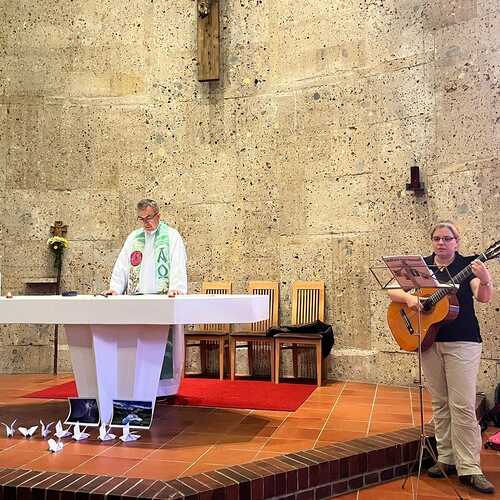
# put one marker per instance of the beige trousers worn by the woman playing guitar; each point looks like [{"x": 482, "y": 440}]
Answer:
[{"x": 450, "y": 370}]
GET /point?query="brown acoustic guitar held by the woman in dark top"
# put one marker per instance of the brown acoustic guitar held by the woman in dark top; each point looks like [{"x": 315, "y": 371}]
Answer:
[{"x": 440, "y": 306}]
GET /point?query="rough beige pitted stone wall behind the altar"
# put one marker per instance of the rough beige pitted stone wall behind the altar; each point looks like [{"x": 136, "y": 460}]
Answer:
[{"x": 293, "y": 166}]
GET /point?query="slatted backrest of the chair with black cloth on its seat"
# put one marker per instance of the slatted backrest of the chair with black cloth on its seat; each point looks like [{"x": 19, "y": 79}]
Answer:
[{"x": 308, "y": 301}]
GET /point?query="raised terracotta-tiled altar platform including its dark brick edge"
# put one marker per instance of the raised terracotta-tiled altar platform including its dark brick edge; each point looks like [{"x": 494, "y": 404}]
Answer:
[{"x": 347, "y": 440}]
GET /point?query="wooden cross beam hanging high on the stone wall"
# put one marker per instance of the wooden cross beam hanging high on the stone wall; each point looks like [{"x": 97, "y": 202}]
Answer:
[{"x": 208, "y": 40}]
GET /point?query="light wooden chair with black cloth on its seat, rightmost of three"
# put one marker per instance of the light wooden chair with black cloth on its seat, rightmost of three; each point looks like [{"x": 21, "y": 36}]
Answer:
[{"x": 308, "y": 305}]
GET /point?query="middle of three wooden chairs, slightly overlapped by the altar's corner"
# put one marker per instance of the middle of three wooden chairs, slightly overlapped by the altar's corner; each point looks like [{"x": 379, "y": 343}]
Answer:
[{"x": 259, "y": 346}]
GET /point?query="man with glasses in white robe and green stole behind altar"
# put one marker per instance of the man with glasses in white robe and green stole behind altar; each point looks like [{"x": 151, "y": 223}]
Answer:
[{"x": 153, "y": 261}]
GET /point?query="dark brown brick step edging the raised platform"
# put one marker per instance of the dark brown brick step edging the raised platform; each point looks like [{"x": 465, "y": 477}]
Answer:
[{"x": 312, "y": 474}]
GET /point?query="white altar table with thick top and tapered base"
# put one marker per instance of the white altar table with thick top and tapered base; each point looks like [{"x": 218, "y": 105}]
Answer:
[{"x": 117, "y": 343}]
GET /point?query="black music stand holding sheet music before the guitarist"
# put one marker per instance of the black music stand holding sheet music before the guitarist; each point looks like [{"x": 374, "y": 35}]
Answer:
[{"x": 409, "y": 272}]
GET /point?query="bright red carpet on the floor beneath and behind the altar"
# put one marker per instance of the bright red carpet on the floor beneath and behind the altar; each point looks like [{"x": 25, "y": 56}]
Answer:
[{"x": 246, "y": 394}]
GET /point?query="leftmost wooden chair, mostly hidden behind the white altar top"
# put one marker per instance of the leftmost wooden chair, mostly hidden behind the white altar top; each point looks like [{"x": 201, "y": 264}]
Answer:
[{"x": 211, "y": 336}]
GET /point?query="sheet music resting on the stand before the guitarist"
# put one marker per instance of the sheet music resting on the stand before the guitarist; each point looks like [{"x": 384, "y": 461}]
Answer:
[{"x": 410, "y": 271}]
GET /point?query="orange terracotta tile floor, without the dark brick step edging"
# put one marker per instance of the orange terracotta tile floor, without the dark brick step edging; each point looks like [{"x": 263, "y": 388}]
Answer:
[{"x": 187, "y": 440}]
